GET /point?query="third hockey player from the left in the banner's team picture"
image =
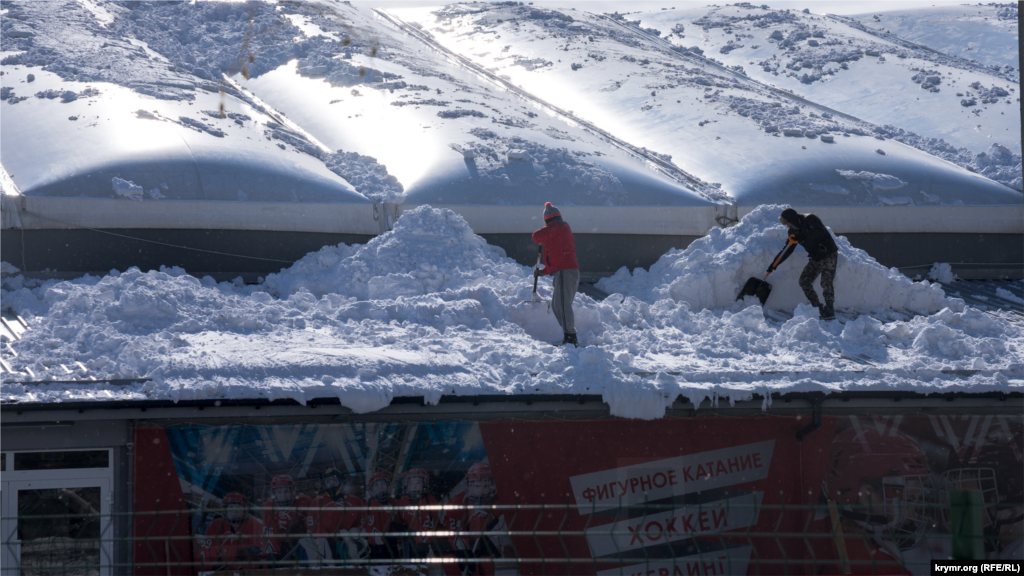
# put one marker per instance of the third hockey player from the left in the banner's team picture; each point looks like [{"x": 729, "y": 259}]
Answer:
[{"x": 336, "y": 521}]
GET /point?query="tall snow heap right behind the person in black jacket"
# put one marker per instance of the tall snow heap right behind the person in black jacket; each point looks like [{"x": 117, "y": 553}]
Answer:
[{"x": 711, "y": 272}]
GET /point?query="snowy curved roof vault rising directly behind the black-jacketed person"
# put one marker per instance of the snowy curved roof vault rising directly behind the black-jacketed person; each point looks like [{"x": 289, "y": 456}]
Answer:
[{"x": 763, "y": 145}]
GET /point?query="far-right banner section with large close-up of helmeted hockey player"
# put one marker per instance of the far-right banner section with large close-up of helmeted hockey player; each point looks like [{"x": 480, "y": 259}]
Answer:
[{"x": 889, "y": 486}]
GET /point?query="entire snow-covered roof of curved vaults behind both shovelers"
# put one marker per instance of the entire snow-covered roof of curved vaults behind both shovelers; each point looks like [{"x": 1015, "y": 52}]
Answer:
[{"x": 485, "y": 106}]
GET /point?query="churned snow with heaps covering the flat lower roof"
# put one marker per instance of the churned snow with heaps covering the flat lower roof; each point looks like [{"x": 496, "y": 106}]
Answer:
[{"x": 430, "y": 309}]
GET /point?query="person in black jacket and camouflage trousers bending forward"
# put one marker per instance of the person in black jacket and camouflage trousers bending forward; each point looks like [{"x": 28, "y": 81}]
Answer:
[{"x": 809, "y": 232}]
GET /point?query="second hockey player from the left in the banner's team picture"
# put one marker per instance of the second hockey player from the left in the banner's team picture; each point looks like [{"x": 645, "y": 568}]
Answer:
[{"x": 287, "y": 517}]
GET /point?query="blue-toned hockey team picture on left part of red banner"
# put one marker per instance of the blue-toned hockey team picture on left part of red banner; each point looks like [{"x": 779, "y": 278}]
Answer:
[{"x": 320, "y": 496}]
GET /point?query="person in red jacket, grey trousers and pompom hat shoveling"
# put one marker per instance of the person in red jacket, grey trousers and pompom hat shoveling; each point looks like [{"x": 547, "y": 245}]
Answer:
[{"x": 559, "y": 249}]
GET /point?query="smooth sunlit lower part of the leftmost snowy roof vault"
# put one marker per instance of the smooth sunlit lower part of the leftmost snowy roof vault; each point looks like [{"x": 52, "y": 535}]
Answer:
[{"x": 60, "y": 149}]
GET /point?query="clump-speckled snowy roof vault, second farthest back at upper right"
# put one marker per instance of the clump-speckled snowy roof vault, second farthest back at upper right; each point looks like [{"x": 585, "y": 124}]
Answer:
[{"x": 879, "y": 78}]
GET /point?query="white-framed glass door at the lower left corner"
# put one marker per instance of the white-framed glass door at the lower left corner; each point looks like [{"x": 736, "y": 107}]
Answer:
[{"x": 62, "y": 527}]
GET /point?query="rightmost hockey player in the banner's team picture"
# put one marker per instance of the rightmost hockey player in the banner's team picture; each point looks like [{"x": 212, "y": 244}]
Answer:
[{"x": 481, "y": 491}]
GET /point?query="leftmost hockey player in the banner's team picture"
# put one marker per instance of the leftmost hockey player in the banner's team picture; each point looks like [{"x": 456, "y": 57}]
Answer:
[{"x": 233, "y": 541}]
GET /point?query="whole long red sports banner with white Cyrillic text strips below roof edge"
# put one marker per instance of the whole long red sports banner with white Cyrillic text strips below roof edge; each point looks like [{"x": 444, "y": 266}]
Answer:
[{"x": 709, "y": 497}]
